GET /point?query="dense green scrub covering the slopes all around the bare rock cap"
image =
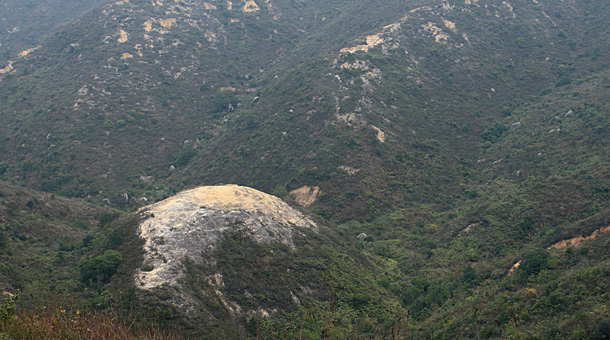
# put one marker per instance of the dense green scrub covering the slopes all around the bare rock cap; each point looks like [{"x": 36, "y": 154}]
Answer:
[{"x": 495, "y": 126}]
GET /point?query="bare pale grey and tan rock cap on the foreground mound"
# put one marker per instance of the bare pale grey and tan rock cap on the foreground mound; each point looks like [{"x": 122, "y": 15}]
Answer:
[{"x": 190, "y": 224}]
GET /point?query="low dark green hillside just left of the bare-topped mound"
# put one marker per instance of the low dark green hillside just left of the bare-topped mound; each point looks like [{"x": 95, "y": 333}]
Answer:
[{"x": 43, "y": 238}]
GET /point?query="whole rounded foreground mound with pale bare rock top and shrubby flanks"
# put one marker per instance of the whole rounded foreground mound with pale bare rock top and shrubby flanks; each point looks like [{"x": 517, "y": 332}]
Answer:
[{"x": 222, "y": 260}]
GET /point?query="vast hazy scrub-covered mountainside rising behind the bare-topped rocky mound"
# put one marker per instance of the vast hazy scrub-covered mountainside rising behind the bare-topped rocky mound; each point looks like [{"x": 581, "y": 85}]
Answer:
[{"x": 459, "y": 135}]
